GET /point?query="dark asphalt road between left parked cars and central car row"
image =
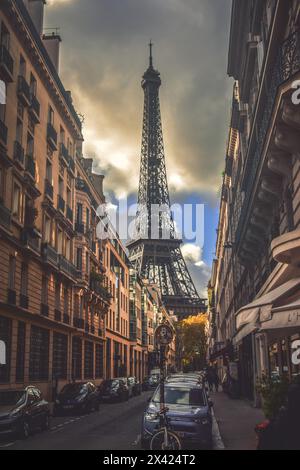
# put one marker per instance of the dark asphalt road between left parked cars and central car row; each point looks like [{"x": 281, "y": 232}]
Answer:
[{"x": 117, "y": 426}]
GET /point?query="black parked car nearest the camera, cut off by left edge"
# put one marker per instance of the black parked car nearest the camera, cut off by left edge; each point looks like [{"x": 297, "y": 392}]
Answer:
[{"x": 23, "y": 411}]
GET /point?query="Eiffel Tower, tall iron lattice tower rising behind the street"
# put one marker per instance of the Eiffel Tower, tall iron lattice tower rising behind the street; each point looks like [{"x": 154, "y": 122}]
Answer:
[{"x": 155, "y": 249}]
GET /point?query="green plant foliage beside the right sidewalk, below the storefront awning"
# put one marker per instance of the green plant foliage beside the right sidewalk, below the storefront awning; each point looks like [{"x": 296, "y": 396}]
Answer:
[{"x": 273, "y": 392}]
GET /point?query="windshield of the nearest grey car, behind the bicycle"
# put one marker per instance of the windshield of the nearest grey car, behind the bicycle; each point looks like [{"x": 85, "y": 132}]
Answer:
[{"x": 181, "y": 396}]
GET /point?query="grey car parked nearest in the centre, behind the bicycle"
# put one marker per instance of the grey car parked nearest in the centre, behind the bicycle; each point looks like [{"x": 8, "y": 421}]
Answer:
[{"x": 189, "y": 413}]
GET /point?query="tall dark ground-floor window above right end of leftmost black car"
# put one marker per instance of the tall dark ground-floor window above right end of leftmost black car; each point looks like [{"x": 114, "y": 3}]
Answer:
[{"x": 39, "y": 354}]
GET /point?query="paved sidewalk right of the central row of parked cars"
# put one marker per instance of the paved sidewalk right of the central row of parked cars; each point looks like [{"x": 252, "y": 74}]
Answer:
[{"x": 236, "y": 420}]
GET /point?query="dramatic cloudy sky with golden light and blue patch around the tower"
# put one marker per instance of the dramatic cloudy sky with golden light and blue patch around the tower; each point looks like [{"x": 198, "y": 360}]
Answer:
[{"x": 104, "y": 54}]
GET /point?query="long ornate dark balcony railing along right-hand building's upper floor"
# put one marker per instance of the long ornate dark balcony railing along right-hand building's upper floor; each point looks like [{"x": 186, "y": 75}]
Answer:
[{"x": 286, "y": 65}]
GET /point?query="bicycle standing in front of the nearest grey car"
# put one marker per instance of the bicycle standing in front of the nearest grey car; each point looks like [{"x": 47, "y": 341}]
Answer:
[{"x": 164, "y": 438}]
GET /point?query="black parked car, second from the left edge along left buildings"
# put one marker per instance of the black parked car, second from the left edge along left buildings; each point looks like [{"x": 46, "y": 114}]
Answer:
[{"x": 79, "y": 397}]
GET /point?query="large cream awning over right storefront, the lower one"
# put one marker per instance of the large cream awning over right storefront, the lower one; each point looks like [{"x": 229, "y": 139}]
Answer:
[{"x": 261, "y": 311}]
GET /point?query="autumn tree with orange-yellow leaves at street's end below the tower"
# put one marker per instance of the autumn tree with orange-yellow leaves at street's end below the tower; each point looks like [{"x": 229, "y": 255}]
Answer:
[{"x": 192, "y": 341}]
